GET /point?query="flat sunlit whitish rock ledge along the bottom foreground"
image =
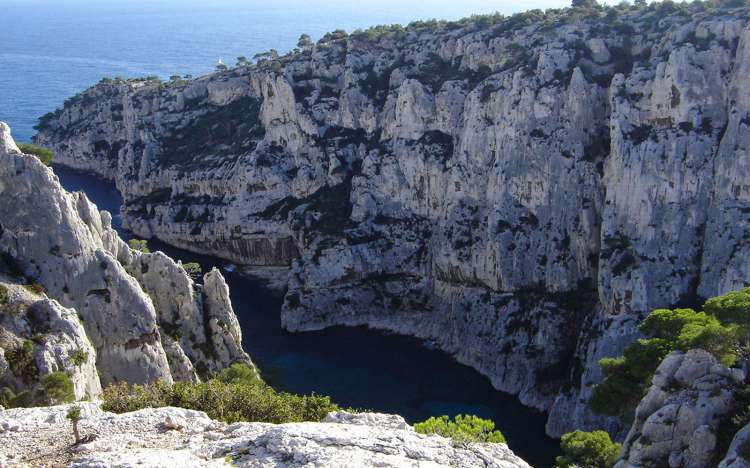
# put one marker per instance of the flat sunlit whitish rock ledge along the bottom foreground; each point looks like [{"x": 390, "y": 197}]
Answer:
[{"x": 176, "y": 437}]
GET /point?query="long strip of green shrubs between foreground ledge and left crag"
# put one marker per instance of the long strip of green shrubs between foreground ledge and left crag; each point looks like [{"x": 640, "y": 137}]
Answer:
[{"x": 234, "y": 395}]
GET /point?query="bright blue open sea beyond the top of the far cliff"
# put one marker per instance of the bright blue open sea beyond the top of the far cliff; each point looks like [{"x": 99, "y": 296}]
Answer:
[{"x": 52, "y": 49}]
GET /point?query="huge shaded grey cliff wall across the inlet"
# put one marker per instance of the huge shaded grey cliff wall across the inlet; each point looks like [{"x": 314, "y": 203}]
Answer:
[{"x": 519, "y": 190}]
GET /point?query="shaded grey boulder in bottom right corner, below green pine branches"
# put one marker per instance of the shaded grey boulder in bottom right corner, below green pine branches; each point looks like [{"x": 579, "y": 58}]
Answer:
[{"x": 676, "y": 422}]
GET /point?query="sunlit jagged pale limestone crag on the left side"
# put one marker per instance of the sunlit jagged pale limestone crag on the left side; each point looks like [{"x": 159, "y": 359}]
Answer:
[{"x": 128, "y": 316}]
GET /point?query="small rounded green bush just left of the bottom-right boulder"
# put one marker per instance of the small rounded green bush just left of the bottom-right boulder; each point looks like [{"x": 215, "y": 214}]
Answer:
[{"x": 587, "y": 450}]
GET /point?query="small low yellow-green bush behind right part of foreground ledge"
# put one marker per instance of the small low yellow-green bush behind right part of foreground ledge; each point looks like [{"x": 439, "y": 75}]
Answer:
[{"x": 463, "y": 429}]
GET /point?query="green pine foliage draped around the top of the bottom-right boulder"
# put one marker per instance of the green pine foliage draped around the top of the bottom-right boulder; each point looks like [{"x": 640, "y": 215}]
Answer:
[{"x": 721, "y": 329}]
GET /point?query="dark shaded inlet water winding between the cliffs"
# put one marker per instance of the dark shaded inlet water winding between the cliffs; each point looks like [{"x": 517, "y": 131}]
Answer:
[{"x": 356, "y": 366}]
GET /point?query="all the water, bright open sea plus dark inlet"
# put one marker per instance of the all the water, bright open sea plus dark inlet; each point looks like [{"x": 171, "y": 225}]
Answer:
[{"x": 52, "y": 49}]
